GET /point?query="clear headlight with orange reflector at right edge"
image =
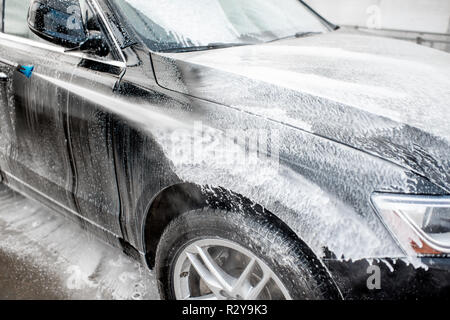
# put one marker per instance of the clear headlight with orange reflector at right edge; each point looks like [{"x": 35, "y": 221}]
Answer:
[{"x": 421, "y": 224}]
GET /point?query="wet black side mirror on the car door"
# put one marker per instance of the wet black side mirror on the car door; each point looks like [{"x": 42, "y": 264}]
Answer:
[{"x": 61, "y": 22}]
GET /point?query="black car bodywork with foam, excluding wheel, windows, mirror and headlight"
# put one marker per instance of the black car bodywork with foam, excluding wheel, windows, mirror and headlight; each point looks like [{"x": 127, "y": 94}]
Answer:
[{"x": 107, "y": 141}]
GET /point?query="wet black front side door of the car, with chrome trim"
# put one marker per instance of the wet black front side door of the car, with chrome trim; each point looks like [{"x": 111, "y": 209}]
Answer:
[{"x": 62, "y": 136}]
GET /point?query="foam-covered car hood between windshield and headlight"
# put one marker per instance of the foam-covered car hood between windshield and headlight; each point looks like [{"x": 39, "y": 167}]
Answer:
[{"x": 386, "y": 97}]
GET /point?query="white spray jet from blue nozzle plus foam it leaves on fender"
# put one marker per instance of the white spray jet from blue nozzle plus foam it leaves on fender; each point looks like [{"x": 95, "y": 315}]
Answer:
[{"x": 334, "y": 224}]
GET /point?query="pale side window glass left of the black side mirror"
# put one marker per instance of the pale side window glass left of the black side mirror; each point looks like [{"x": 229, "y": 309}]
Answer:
[{"x": 15, "y": 19}]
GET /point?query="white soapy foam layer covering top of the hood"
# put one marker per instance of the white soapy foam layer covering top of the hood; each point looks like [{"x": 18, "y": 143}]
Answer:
[{"x": 406, "y": 83}]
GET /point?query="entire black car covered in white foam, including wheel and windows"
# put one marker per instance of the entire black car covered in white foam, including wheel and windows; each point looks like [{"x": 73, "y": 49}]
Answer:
[{"x": 243, "y": 149}]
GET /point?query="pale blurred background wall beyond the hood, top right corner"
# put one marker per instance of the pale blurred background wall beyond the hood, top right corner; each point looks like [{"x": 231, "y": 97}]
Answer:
[{"x": 426, "y": 22}]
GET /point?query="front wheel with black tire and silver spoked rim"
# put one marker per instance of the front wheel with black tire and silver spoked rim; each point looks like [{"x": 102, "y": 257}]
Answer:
[{"x": 230, "y": 238}]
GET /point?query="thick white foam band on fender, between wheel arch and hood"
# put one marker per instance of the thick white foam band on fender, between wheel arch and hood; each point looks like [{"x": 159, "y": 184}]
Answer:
[{"x": 321, "y": 219}]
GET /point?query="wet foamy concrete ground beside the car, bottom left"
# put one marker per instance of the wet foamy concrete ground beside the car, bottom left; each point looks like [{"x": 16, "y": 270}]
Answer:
[{"x": 45, "y": 256}]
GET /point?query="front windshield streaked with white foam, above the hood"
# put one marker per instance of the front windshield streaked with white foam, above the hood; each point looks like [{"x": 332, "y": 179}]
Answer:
[{"x": 184, "y": 25}]
